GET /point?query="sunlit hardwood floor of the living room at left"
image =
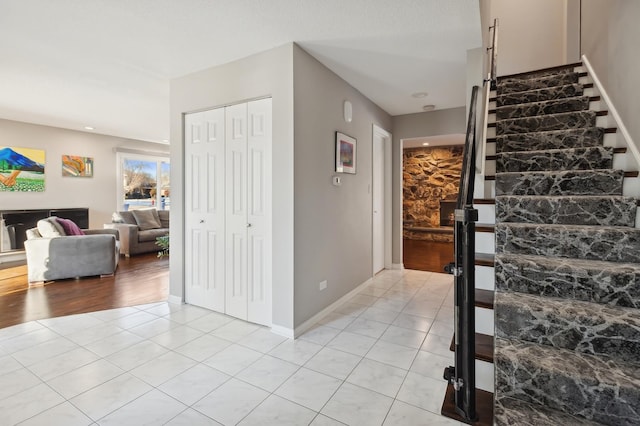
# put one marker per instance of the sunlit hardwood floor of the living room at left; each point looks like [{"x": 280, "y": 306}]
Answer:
[{"x": 138, "y": 280}]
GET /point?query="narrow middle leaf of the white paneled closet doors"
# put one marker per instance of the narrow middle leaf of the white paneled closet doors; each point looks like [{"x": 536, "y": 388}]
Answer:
[{"x": 236, "y": 210}]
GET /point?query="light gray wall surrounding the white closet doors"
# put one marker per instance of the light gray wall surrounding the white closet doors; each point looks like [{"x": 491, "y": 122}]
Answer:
[{"x": 265, "y": 74}]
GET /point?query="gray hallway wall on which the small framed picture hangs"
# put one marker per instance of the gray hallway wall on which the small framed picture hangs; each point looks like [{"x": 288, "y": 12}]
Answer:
[{"x": 333, "y": 225}]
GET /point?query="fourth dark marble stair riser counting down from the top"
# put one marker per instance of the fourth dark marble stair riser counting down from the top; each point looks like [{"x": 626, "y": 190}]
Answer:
[{"x": 563, "y": 121}]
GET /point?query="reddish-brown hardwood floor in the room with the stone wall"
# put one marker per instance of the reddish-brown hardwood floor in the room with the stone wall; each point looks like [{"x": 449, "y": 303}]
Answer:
[{"x": 429, "y": 256}]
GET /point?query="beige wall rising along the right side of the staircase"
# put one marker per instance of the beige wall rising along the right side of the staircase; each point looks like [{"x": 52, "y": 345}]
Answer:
[{"x": 610, "y": 37}]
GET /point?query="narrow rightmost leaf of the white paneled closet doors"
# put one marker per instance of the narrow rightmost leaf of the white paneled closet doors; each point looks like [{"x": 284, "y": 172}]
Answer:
[{"x": 259, "y": 256}]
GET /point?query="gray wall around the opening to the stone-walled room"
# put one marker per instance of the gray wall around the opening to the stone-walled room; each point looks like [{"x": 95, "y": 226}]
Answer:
[{"x": 440, "y": 122}]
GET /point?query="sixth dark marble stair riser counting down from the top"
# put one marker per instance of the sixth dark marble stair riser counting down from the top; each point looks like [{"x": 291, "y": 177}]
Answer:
[{"x": 590, "y": 158}]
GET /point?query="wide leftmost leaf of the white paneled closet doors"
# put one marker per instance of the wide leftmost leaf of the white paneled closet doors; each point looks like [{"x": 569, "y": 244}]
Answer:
[{"x": 204, "y": 209}]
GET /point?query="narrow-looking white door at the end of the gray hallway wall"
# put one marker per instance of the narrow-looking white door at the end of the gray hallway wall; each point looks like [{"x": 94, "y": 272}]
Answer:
[{"x": 378, "y": 202}]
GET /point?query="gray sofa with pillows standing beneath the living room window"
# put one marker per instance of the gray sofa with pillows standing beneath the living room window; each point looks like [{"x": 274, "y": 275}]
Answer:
[{"x": 134, "y": 236}]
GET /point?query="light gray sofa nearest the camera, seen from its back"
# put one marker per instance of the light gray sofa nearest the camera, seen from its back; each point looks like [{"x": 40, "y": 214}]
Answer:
[{"x": 58, "y": 257}]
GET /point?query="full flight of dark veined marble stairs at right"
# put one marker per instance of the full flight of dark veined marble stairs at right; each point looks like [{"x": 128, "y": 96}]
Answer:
[{"x": 567, "y": 263}]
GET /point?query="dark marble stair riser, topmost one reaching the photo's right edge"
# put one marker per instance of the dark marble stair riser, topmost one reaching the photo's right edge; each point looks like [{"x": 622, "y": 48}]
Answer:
[{"x": 608, "y": 243}]
